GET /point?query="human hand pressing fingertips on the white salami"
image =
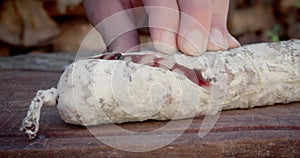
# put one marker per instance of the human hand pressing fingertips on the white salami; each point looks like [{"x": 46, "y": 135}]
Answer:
[{"x": 190, "y": 26}]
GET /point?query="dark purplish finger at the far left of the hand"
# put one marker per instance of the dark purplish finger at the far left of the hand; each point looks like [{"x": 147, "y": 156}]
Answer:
[{"x": 114, "y": 23}]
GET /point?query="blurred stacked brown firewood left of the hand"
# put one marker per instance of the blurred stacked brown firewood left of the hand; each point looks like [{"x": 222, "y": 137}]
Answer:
[{"x": 41, "y": 25}]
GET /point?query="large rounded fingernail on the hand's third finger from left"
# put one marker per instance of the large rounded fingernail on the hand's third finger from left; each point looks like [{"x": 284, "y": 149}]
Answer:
[{"x": 195, "y": 43}]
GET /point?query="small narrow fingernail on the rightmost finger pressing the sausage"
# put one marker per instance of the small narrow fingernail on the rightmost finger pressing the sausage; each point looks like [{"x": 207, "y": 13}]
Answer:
[{"x": 218, "y": 39}]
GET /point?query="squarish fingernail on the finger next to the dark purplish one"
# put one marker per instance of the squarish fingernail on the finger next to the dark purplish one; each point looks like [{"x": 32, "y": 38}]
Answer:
[{"x": 167, "y": 43}]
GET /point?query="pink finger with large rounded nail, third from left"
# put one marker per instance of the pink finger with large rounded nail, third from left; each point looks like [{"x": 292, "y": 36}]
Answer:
[{"x": 194, "y": 27}]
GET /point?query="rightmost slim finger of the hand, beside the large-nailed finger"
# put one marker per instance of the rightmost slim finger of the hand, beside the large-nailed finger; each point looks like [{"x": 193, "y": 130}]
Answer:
[{"x": 220, "y": 38}]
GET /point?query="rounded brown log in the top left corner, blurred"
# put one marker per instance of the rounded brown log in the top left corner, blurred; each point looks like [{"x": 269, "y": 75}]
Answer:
[{"x": 26, "y": 23}]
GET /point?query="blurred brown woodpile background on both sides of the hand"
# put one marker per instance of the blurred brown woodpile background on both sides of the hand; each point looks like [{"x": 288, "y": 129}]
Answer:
[{"x": 45, "y": 26}]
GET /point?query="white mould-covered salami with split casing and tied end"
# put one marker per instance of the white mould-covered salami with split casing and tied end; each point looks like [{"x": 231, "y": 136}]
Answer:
[{"x": 116, "y": 87}]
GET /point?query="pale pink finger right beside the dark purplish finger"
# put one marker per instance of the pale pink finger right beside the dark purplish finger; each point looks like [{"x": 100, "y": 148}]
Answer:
[{"x": 163, "y": 24}]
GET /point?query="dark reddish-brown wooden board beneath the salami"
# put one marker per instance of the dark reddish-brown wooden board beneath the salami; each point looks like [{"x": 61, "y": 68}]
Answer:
[{"x": 259, "y": 132}]
